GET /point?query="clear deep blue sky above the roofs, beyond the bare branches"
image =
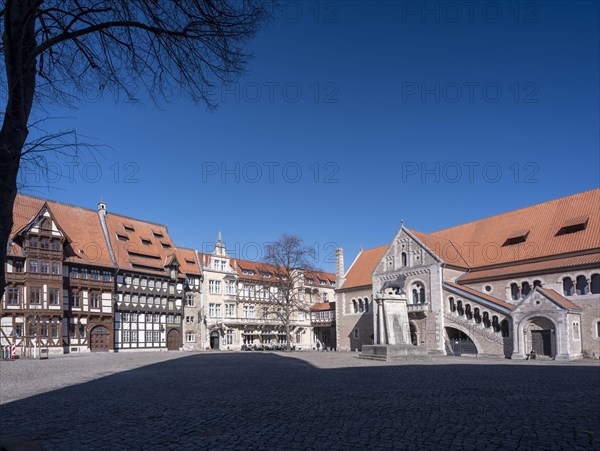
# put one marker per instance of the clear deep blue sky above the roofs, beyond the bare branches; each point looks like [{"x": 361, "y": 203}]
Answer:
[{"x": 353, "y": 116}]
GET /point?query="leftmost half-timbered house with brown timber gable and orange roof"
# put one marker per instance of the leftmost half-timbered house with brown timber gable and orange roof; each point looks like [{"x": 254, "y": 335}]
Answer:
[{"x": 60, "y": 281}]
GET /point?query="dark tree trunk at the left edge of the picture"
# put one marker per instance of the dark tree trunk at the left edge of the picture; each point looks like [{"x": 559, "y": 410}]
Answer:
[{"x": 20, "y": 62}]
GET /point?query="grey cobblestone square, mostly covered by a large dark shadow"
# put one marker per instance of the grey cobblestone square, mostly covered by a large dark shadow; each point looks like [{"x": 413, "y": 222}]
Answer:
[{"x": 302, "y": 400}]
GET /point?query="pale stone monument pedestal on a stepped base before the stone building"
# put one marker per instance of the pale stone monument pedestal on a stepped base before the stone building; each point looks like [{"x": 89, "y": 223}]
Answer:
[{"x": 392, "y": 332}]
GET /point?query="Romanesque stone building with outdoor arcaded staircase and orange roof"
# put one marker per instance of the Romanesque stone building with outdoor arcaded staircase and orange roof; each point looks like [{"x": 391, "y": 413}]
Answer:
[{"x": 527, "y": 280}]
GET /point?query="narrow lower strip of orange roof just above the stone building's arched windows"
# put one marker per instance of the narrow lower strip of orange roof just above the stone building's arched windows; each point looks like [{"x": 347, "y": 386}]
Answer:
[{"x": 537, "y": 267}]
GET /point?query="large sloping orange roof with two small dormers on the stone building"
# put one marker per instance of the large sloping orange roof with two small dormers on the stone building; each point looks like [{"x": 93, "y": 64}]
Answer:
[{"x": 482, "y": 242}]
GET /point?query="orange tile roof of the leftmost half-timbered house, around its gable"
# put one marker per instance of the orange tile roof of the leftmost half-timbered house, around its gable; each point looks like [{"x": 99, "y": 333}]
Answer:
[{"x": 81, "y": 225}]
